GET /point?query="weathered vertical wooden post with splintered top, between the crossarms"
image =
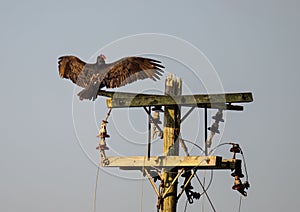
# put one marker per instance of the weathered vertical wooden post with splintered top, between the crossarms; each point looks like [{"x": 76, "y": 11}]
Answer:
[{"x": 173, "y": 87}]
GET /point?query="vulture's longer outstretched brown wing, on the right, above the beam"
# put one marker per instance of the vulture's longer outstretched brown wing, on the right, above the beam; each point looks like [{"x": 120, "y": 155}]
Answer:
[{"x": 130, "y": 69}]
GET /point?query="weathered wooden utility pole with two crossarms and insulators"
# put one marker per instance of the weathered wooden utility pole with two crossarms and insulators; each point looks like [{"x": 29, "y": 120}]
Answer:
[{"x": 169, "y": 166}]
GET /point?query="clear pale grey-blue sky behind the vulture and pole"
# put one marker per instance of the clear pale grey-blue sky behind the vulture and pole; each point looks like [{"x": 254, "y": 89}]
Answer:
[{"x": 47, "y": 164}]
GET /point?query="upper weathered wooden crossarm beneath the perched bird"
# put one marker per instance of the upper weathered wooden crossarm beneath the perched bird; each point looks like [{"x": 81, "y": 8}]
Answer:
[{"x": 223, "y": 101}]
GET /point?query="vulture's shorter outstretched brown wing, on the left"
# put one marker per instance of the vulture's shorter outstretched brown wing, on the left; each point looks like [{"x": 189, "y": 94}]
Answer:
[{"x": 71, "y": 67}]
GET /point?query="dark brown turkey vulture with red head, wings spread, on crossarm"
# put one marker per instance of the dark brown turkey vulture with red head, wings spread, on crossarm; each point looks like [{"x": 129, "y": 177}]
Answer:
[{"x": 93, "y": 77}]
